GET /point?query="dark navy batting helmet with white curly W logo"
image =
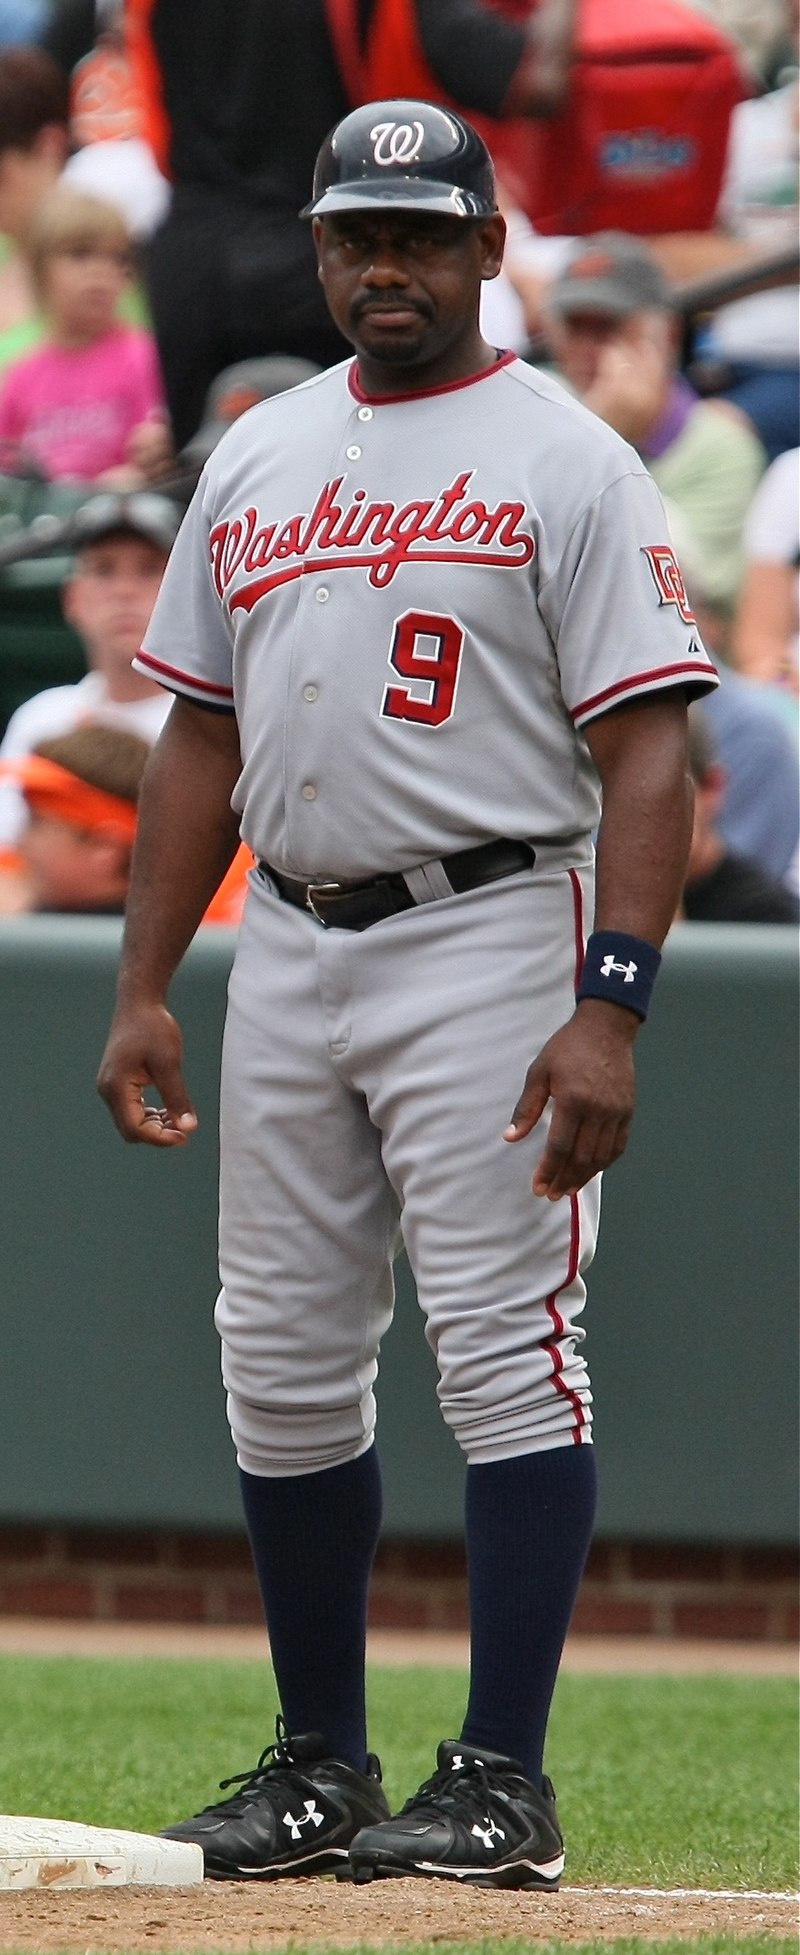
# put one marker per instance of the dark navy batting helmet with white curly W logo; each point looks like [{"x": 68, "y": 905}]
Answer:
[{"x": 406, "y": 155}]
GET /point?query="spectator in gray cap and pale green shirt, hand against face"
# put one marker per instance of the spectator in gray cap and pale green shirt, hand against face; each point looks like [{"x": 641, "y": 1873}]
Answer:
[{"x": 613, "y": 331}]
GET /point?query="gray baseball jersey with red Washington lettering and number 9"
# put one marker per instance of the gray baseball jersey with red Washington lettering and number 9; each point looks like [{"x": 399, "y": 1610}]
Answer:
[{"x": 416, "y": 605}]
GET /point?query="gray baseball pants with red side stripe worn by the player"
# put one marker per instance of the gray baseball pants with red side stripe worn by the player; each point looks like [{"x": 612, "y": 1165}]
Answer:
[{"x": 367, "y": 1084}]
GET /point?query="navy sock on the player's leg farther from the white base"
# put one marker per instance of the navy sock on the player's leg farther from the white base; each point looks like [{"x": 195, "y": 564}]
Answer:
[{"x": 529, "y": 1530}]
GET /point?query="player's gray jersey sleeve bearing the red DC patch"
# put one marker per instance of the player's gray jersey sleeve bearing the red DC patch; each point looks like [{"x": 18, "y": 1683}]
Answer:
[{"x": 617, "y": 607}]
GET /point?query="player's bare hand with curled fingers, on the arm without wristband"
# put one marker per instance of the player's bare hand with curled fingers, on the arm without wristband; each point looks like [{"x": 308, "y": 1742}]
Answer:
[{"x": 146, "y": 1051}]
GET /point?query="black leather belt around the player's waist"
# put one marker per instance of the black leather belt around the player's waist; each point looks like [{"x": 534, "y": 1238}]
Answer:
[{"x": 355, "y": 906}]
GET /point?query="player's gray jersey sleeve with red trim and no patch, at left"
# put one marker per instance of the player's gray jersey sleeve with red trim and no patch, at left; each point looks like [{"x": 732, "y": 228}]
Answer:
[{"x": 187, "y": 644}]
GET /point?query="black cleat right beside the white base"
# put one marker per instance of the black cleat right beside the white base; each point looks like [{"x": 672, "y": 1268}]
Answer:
[{"x": 294, "y": 1815}]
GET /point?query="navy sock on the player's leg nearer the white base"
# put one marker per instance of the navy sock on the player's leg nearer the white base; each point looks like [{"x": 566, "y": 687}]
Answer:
[{"x": 314, "y": 1542}]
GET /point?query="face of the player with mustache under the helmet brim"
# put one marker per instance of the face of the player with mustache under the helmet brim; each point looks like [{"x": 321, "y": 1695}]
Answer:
[{"x": 404, "y": 286}]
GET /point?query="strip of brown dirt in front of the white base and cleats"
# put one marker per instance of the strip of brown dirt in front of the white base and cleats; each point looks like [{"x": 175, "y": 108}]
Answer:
[{"x": 396, "y": 1913}]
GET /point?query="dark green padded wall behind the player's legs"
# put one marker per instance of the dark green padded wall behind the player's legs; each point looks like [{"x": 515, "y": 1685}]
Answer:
[{"x": 111, "y": 1399}]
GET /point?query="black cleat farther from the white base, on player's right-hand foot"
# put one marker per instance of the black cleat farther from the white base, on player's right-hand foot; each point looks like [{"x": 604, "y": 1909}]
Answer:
[{"x": 476, "y": 1821}]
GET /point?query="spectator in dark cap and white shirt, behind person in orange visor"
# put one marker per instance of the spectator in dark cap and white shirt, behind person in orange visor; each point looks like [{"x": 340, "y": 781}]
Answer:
[{"x": 122, "y": 544}]
